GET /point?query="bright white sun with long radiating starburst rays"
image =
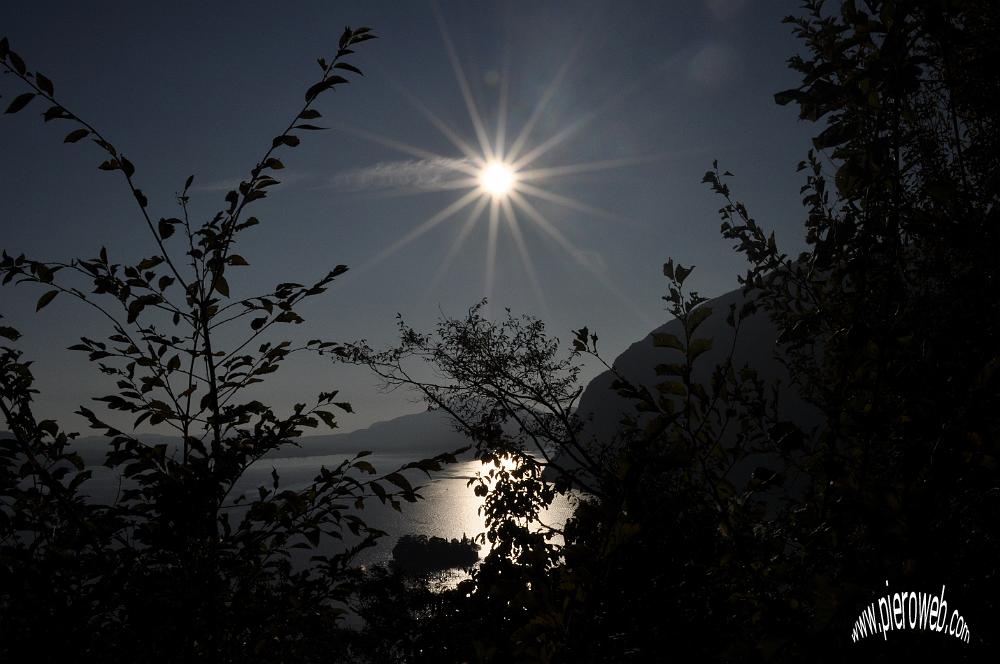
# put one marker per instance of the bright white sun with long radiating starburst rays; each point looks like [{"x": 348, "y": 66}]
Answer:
[{"x": 500, "y": 177}]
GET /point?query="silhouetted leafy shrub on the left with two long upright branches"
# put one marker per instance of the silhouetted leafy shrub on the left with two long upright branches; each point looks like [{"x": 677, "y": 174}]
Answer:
[{"x": 182, "y": 565}]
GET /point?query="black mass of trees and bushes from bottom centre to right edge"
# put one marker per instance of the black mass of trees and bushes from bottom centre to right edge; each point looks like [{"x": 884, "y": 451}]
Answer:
[{"x": 887, "y": 325}]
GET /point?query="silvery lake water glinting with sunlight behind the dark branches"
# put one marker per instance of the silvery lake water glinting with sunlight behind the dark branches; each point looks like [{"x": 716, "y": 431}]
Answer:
[{"x": 450, "y": 509}]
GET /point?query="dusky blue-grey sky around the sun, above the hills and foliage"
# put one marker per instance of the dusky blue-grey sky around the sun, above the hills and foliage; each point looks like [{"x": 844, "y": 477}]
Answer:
[{"x": 626, "y": 105}]
